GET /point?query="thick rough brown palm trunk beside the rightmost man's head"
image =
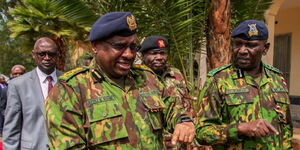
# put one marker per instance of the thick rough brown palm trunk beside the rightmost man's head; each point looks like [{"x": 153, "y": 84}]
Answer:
[{"x": 218, "y": 36}]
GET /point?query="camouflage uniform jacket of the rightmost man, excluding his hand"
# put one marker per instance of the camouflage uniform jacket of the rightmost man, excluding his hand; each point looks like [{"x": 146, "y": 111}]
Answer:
[{"x": 230, "y": 96}]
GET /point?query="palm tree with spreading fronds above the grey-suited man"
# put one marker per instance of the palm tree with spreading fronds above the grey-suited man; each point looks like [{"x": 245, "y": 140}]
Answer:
[{"x": 62, "y": 20}]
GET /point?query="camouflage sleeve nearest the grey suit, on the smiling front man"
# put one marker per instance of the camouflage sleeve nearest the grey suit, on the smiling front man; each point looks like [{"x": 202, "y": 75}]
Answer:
[{"x": 64, "y": 119}]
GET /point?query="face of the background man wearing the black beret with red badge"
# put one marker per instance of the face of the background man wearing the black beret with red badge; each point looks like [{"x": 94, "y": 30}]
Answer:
[{"x": 156, "y": 60}]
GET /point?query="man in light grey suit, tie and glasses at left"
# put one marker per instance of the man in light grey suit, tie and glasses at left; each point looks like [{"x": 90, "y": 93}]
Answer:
[{"x": 24, "y": 126}]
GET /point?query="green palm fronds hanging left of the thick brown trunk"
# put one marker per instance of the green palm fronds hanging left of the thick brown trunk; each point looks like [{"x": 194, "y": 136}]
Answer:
[{"x": 181, "y": 21}]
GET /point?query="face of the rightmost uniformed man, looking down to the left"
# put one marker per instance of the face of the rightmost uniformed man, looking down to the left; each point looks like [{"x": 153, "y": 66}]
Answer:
[{"x": 247, "y": 54}]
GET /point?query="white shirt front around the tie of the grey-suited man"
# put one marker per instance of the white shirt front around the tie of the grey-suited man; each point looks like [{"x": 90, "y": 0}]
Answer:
[{"x": 44, "y": 82}]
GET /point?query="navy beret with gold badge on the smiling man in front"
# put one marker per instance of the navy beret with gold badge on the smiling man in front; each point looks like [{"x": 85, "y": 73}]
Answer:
[{"x": 113, "y": 23}]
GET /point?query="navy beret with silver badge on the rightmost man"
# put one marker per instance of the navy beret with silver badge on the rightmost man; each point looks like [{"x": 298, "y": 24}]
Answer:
[{"x": 251, "y": 30}]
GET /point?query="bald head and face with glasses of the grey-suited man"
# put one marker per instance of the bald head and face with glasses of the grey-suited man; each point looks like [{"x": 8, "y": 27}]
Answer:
[{"x": 45, "y": 56}]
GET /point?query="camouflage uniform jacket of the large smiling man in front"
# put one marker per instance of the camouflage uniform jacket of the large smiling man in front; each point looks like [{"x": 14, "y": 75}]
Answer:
[{"x": 86, "y": 110}]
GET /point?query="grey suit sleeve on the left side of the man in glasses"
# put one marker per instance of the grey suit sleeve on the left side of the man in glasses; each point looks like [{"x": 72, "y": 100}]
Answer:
[{"x": 13, "y": 119}]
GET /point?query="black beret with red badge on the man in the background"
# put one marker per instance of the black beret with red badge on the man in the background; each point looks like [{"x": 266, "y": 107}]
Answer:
[{"x": 154, "y": 43}]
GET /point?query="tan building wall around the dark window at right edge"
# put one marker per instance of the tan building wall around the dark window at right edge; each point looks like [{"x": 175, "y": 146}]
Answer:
[{"x": 288, "y": 21}]
